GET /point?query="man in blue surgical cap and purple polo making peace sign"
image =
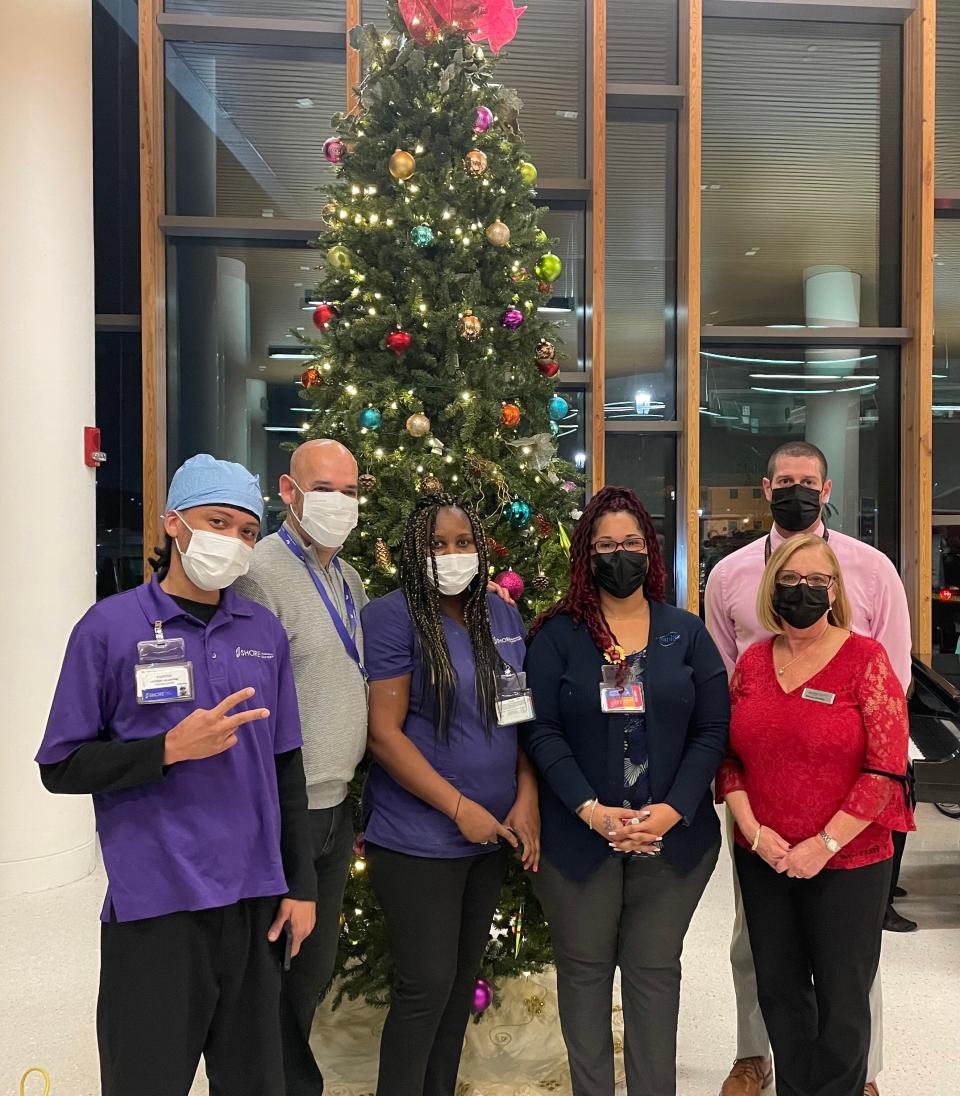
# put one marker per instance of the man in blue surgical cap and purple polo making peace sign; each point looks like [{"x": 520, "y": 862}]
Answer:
[{"x": 176, "y": 710}]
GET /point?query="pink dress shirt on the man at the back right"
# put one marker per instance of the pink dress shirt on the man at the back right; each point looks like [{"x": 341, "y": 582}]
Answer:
[{"x": 874, "y": 588}]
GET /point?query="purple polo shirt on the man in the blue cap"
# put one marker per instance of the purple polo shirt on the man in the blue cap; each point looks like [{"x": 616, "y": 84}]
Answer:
[{"x": 209, "y": 835}]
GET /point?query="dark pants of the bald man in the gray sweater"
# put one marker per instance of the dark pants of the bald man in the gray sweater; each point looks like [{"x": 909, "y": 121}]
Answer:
[{"x": 332, "y": 831}]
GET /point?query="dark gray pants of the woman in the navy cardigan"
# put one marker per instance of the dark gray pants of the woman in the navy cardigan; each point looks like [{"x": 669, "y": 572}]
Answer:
[{"x": 631, "y": 914}]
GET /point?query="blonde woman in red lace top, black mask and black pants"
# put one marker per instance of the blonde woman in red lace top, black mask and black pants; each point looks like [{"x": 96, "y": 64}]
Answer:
[{"x": 818, "y": 741}]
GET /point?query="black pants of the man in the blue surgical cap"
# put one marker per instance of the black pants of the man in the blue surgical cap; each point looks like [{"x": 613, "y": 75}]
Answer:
[{"x": 187, "y": 985}]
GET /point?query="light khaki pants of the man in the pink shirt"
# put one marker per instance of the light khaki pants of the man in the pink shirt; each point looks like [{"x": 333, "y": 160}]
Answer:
[{"x": 752, "y": 1040}]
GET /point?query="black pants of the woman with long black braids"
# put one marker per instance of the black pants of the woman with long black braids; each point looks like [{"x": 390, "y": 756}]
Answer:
[{"x": 438, "y": 915}]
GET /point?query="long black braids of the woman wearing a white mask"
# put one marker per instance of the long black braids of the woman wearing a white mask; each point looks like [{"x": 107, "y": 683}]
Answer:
[{"x": 424, "y": 603}]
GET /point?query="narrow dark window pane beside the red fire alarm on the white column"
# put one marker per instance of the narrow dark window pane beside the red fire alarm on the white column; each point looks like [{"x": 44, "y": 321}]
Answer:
[{"x": 120, "y": 483}]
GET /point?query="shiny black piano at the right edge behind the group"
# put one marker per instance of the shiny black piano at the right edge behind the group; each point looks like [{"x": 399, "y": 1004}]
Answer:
[{"x": 935, "y": 729}]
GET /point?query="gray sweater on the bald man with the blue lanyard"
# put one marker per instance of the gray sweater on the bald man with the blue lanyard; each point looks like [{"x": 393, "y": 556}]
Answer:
[{"x": 330, "y": 688}]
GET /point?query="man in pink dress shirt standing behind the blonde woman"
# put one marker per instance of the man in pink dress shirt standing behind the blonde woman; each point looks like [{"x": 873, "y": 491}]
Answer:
[{"x": 797, "y": 488}]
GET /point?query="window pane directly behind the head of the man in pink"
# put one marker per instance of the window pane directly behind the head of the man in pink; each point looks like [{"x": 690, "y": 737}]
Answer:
[{"x": 753, "y": 399}]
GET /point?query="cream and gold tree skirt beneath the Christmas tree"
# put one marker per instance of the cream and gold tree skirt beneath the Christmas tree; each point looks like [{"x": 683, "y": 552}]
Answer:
[{"x": 516, "y": 1051}]
